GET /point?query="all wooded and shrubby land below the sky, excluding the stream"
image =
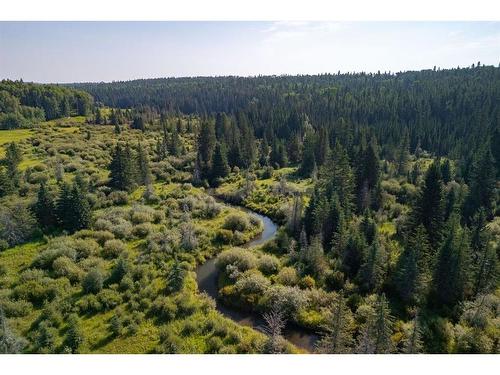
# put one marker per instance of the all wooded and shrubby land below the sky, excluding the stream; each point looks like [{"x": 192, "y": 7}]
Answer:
[{"x": 384, "y": 186}]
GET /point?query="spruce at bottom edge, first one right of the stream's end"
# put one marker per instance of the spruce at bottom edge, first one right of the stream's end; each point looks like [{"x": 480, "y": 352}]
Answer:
[{"x": 338, "y": 336}]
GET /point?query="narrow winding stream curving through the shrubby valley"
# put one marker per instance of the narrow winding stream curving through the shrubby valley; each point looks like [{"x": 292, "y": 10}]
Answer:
[{"x": 207, "y": 278}]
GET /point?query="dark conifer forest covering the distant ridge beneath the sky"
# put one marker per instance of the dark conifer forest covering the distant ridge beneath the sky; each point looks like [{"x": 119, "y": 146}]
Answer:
[{"x": 447, "y": 112}]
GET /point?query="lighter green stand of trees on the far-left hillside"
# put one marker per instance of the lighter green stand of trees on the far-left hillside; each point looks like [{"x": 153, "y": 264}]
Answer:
[{"x": 25, "y": 104}]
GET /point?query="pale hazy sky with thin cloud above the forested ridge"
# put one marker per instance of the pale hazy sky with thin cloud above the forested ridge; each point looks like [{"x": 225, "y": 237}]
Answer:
[{"x": 107, "y": 51}]
